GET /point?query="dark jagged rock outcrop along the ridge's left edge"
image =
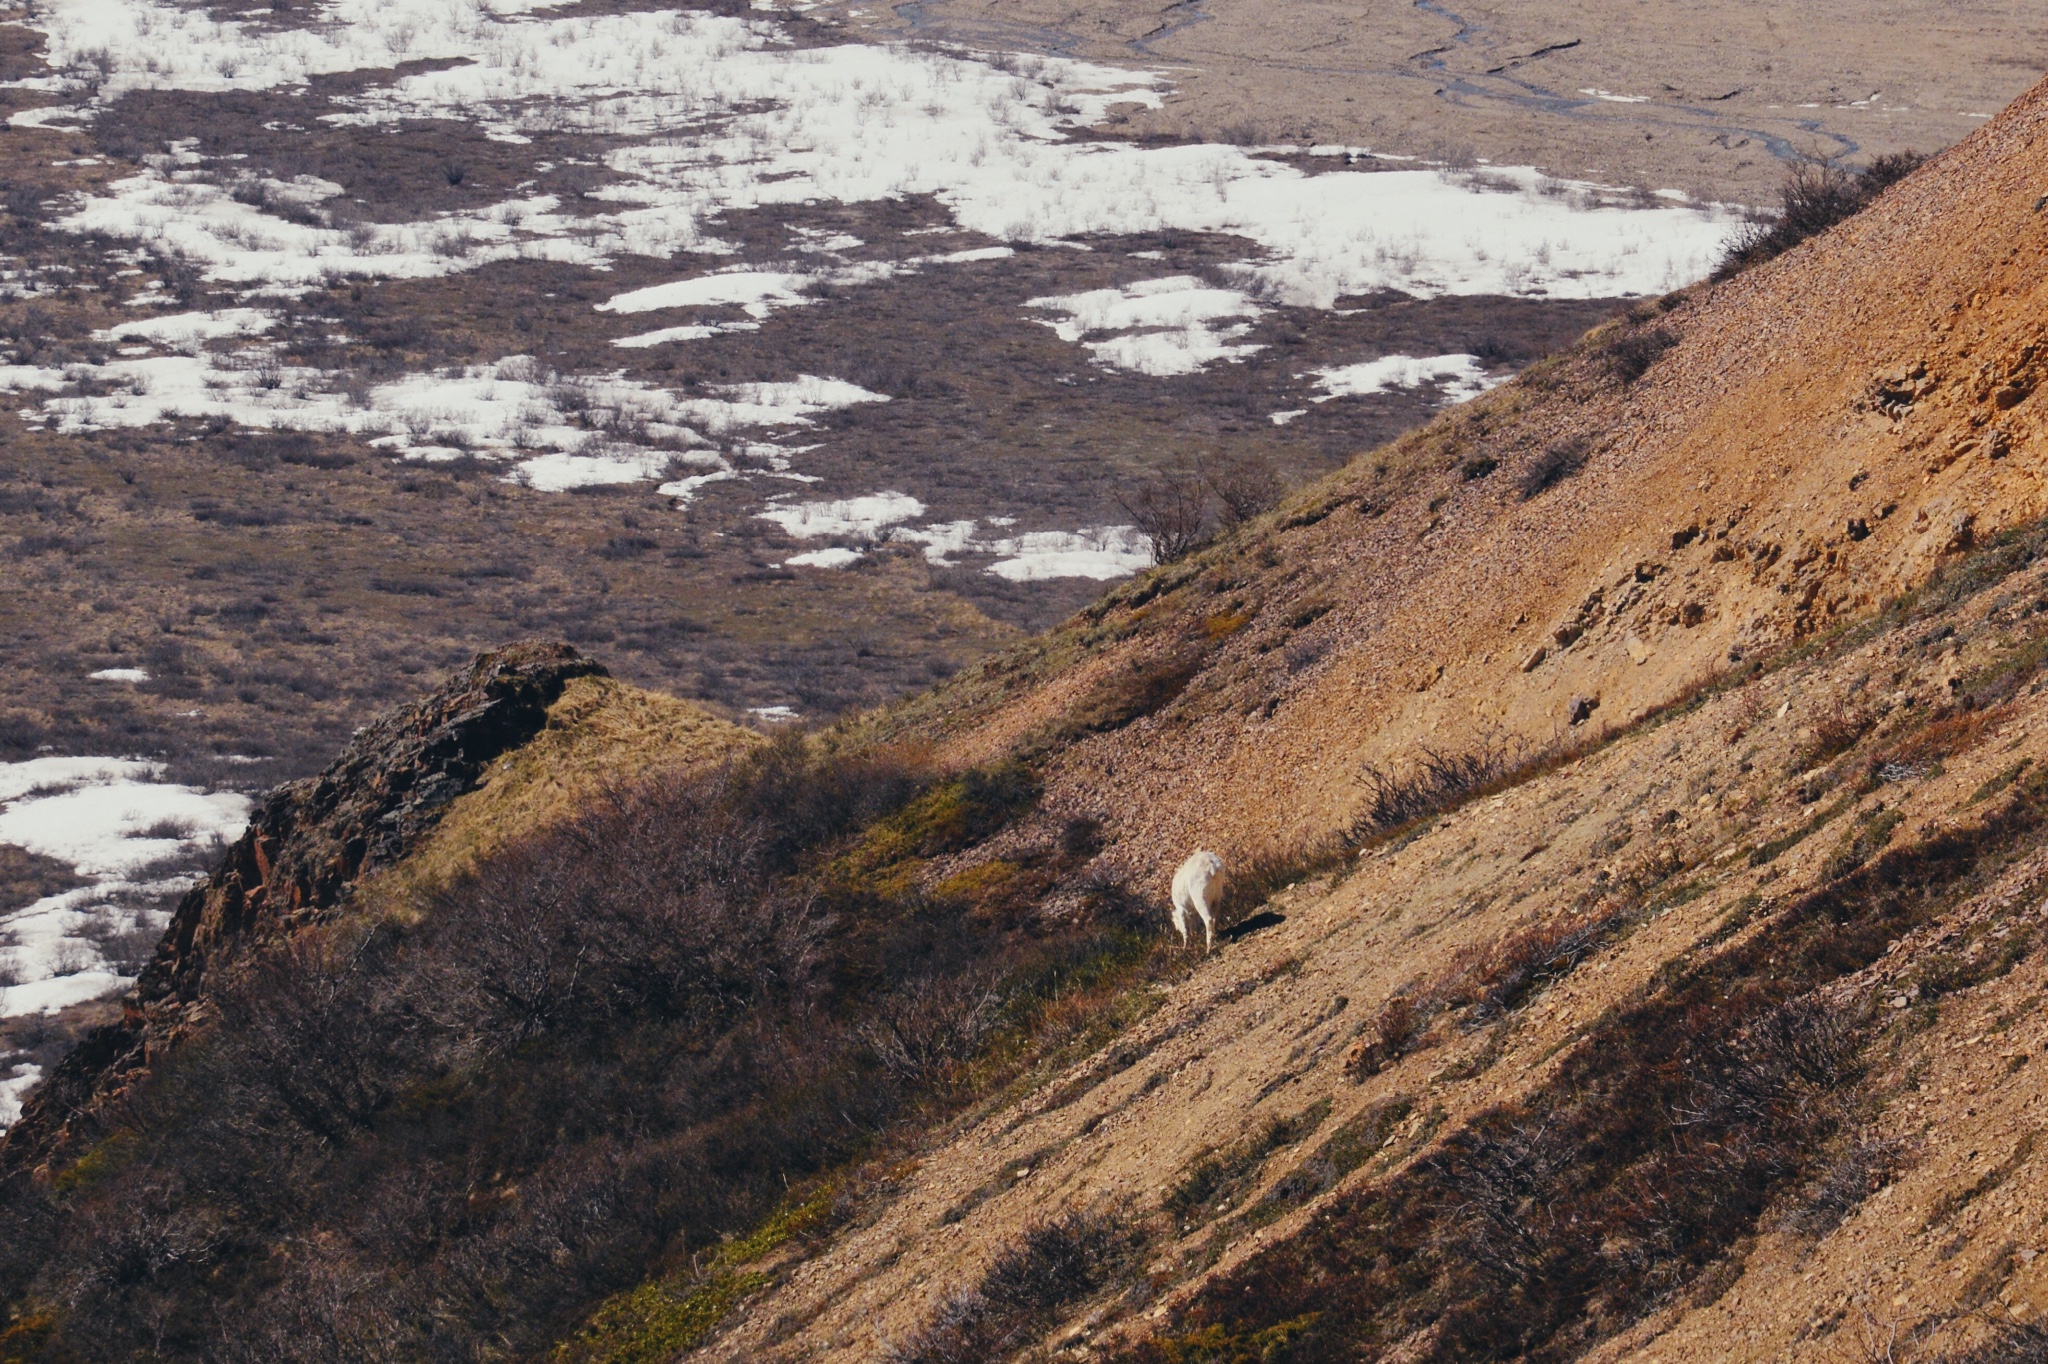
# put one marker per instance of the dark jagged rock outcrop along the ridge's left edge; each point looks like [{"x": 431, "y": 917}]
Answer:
[{"x": 306, "y": 849}]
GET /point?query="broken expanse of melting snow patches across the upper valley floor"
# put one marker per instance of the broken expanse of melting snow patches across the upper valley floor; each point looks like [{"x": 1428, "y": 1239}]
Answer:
[{"x": 718, "y": 116}]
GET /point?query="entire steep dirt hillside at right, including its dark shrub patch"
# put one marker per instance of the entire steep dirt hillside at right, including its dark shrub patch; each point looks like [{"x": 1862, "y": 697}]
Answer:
[{"x": 1682, "y": 994}]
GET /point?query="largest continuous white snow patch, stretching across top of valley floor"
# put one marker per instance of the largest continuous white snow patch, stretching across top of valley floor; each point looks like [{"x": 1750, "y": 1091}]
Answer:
[{"x": 736, "y": 118}]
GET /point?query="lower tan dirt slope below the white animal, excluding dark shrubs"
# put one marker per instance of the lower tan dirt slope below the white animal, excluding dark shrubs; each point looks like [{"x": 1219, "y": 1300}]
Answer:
[{"x": 1678, "y": 847}]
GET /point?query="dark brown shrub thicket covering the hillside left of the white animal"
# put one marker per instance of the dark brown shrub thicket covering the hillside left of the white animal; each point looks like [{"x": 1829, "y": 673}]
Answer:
[{"x": 466, "y": 1121}]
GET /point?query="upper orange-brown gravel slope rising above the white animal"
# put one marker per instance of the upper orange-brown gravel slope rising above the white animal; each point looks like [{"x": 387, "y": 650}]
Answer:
[{"x": 1818, "y": 437}]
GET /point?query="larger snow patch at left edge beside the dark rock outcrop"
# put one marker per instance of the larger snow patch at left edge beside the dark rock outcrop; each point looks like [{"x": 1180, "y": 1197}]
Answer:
[{"x": 118, "y": 826}]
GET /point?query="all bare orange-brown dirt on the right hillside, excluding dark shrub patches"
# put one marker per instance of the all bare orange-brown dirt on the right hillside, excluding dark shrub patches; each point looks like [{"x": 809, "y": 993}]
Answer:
[{"x": 1826, "y": 435}]
